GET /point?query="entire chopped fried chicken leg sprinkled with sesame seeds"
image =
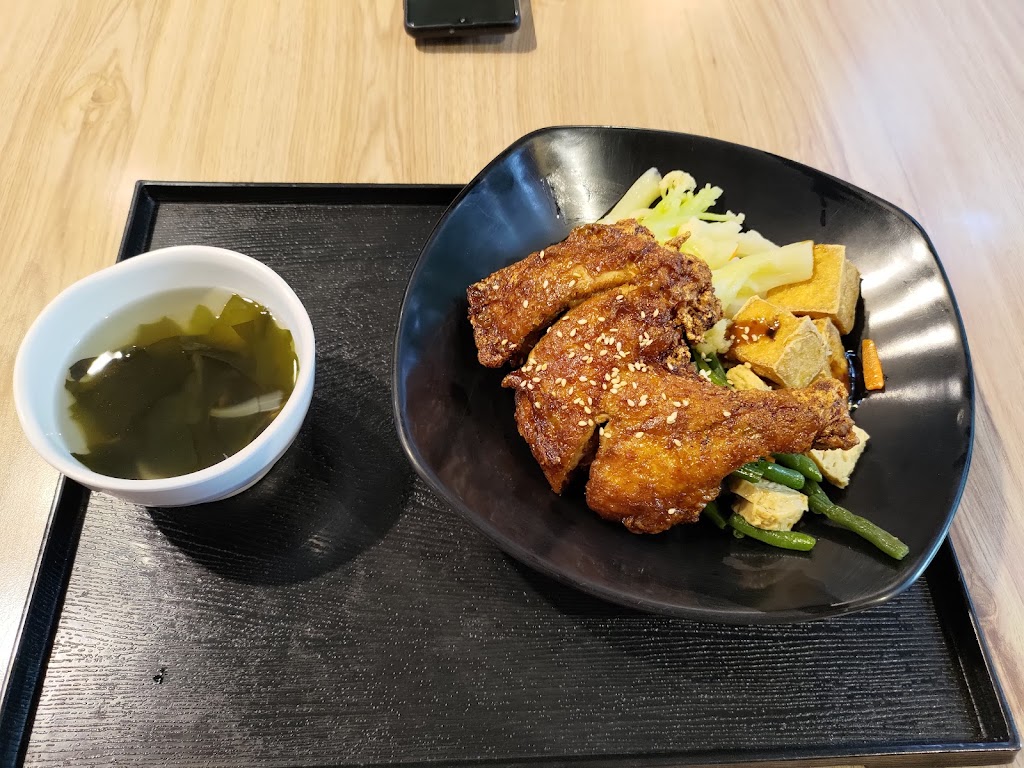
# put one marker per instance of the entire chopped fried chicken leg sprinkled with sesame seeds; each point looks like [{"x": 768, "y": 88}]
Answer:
[{"x": 610, "y": 385}]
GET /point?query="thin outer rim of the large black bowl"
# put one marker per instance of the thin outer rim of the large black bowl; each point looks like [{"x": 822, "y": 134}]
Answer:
[{"x": 624, "y": 598}]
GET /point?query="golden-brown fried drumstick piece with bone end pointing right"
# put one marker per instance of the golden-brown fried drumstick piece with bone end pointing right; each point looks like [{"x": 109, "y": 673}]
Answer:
[{"x": 664, "y": 456}]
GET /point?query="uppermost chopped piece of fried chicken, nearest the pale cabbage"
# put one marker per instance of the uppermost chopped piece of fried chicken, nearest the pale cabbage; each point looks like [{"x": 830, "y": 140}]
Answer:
[{"x": 510, "y": 309}]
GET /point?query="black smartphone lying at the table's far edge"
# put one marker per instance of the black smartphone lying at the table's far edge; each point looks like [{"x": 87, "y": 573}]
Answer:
[{"x": 447, "y": 19}]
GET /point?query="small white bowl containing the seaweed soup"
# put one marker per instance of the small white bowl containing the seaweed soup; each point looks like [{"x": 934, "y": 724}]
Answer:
[{"x": 50, "y": 347}]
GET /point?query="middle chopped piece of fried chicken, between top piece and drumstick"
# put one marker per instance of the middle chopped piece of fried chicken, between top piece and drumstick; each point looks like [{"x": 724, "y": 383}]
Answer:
[{"x": 560, "y": 391}]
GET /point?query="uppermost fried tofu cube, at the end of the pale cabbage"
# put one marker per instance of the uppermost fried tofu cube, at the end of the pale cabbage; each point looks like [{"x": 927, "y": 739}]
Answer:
[{"x": 832, "y": 291}]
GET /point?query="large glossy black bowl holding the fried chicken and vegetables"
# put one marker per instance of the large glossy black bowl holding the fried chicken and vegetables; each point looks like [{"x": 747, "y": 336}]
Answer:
[{"x": 457, "y": 424}]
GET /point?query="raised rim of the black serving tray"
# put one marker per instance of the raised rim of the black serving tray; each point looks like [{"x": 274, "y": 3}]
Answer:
[{"x": 57, "y": 557}]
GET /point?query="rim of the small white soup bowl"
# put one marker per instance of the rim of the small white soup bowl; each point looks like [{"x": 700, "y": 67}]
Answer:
[{"x": 66, "y": 463}]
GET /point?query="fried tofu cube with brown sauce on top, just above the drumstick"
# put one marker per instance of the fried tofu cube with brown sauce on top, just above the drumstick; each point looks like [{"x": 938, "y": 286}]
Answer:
[{"x": 780, "y": 347}]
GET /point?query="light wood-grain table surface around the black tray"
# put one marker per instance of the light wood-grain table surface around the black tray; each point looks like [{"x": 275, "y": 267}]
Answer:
[{"x": 920, "y": 102}]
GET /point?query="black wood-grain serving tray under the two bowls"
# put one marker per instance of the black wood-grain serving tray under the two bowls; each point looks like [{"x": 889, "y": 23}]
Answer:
[{"x": 339, "y": 615}]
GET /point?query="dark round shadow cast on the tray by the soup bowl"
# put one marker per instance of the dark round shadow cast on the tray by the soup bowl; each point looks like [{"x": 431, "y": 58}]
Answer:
[{"x": 336, "y": 493}]
